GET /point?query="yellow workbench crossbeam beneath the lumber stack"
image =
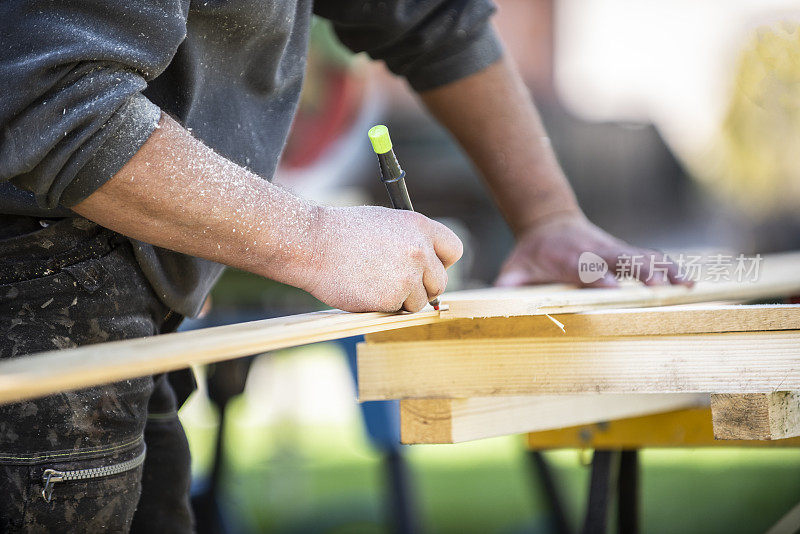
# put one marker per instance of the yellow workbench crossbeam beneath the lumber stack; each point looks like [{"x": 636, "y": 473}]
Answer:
[{"x": 684, "y": 428}]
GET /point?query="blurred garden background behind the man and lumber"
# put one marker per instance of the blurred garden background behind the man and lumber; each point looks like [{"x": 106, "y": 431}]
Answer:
[{"x": 678, "y": 124}]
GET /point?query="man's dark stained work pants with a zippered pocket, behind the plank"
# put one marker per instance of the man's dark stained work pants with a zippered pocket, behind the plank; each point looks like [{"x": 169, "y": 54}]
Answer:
[{"x": 63, "y": 284}]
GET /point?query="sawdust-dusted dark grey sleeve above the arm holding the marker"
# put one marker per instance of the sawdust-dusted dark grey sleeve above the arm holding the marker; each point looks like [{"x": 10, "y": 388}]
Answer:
[{"x": 72, "y": 112}]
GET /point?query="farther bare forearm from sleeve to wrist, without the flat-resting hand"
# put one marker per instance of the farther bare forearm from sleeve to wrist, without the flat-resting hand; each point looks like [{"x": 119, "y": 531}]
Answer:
[{"x": 492, "y": 116}]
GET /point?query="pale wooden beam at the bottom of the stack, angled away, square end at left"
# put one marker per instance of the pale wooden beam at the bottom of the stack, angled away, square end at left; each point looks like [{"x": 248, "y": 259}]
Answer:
[{"x": 458, "y": 420}]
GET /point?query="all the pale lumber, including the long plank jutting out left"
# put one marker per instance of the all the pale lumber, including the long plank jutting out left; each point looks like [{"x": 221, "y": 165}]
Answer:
[{"x": 506, "y": 361}]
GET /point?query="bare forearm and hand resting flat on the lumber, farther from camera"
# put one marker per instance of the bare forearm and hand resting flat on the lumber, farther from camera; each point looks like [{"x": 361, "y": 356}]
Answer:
[{"x": 492, "y": 115}]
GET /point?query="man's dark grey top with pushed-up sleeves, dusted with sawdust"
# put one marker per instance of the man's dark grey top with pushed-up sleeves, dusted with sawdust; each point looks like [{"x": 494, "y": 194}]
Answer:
[{"x": 84, "y": 82}]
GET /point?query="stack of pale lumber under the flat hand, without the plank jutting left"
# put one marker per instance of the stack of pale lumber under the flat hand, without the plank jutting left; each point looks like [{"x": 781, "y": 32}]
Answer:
[{"x": 514, "y": 361}]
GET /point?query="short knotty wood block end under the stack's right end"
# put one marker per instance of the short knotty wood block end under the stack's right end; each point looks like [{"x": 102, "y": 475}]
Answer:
[{"x": 756, "y": 415}]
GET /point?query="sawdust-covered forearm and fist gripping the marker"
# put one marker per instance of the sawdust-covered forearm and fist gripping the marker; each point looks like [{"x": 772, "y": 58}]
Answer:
[{"x": 179, "y": 194}]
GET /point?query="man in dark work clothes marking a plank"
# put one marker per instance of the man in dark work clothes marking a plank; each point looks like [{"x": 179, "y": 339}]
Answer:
[{"x": 90, "y": 152}]
